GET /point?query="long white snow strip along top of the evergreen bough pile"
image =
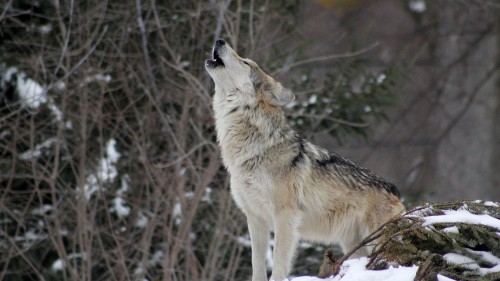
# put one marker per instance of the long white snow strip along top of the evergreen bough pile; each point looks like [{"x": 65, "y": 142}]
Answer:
[{"x": 452, "y": 216}]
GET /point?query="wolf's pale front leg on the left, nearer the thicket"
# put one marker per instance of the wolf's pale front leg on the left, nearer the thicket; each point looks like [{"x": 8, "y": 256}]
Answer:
[{"x": 259, "y": 238}]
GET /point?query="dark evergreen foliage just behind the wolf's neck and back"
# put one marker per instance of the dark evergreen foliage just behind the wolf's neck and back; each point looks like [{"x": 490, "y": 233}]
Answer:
[{"x": 349, "y": 101}]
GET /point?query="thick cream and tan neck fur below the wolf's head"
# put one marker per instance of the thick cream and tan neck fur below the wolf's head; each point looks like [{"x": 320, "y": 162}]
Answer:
[{"x": 247, "y": 129}]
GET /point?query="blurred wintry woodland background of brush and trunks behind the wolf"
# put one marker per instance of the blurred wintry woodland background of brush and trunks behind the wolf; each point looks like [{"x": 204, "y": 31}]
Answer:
[{"x": 109, "y": 165}]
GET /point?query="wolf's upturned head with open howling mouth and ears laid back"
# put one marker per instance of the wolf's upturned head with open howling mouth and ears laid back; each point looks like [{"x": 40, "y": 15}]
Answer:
[{"x": 243, "y": 78}]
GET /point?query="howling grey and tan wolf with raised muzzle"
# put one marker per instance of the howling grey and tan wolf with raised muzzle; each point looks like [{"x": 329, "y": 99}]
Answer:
[{"x": 282, "y": 182}]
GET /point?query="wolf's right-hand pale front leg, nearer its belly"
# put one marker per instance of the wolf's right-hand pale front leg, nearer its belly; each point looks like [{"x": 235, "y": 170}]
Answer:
[{"x": 286, "y": 238}]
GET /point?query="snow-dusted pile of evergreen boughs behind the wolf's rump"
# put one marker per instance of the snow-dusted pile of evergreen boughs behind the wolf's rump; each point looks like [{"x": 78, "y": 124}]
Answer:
[{"x": 470, "y": 248}]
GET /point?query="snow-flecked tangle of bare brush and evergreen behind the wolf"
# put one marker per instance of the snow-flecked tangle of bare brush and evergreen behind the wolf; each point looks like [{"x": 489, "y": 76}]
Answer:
[{"x": 109, "y": 166}]
